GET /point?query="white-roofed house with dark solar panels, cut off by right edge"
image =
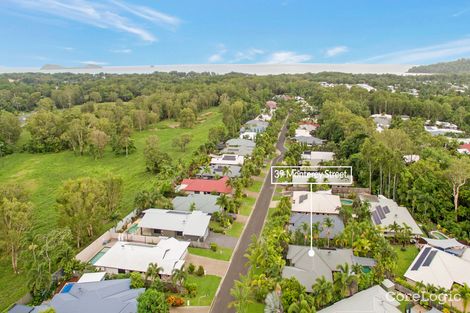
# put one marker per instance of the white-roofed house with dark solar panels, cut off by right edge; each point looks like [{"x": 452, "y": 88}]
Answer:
[{"x": 441, "y": 269}]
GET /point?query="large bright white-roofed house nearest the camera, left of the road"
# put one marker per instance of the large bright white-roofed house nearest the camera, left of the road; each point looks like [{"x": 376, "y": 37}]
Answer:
[{"x": 126, "y": 257}]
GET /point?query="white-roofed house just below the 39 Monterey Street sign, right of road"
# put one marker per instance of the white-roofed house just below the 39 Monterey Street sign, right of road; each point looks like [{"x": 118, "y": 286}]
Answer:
[{"x": 316, "y": 202}]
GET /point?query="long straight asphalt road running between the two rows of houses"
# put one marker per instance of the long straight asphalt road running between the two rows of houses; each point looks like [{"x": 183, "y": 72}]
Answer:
[{"x": 254, "y": 227}]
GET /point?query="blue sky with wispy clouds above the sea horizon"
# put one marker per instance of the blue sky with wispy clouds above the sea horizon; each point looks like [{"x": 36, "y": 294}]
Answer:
[{"x": 145, "y": 32}]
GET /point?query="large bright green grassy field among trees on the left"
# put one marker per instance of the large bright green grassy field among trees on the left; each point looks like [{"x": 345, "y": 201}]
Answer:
[{"x": 43, "y": 175}]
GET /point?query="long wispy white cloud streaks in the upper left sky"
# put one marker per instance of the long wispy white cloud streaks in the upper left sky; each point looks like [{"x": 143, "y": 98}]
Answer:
[{"x": 107, "y": 15}]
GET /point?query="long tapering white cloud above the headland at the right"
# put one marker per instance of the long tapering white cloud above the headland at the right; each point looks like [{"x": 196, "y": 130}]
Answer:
[{"x": 456, "y": 48}]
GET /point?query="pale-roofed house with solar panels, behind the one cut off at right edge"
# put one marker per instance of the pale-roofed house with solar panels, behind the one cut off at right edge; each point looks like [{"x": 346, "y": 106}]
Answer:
[{"x": 386, "y": 212}]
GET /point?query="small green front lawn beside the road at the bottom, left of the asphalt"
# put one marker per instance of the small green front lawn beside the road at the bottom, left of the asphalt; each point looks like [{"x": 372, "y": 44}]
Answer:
[{"x": 206, "y": 288}]
